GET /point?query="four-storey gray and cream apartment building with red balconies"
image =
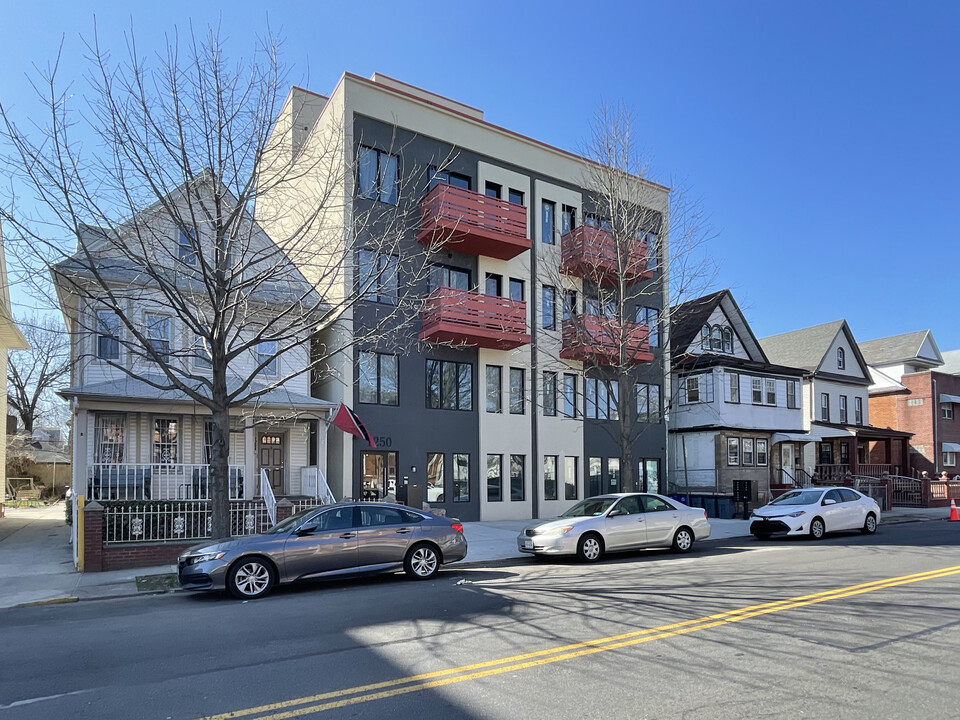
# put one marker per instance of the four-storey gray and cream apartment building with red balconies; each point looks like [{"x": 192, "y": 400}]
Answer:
[{"x": 494, "y": 398}]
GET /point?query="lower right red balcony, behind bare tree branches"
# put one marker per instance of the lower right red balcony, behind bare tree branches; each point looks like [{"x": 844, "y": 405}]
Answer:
[{"x": 590, "y": 338}]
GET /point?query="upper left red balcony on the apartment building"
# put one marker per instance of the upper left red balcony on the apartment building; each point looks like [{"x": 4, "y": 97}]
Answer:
[{"x": 473, "y": 223}]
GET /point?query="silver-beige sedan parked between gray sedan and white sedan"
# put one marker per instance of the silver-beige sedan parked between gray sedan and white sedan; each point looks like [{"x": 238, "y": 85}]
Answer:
[{"x": 616, "y": 522}]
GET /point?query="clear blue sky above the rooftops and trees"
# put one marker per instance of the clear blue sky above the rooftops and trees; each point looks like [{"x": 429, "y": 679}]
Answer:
[{"x": 821, "y": 137}]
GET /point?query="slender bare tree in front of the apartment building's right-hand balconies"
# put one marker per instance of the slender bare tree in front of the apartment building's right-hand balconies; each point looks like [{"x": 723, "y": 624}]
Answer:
[{"x": 639, "y": 250}]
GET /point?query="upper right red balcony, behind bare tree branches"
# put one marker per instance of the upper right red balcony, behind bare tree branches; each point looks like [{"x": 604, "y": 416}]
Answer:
[{"x": 591, "y": 253}]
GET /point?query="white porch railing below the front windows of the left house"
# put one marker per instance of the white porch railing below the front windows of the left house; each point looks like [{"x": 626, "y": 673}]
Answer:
[{"x": 155, "y": 481}]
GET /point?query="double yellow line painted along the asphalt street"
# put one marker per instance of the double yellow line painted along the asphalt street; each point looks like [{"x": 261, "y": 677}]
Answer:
[{"x": 414, "y": 683}]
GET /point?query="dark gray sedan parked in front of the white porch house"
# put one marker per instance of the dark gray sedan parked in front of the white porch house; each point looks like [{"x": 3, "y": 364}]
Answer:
[{"x": 341, "y": 539}]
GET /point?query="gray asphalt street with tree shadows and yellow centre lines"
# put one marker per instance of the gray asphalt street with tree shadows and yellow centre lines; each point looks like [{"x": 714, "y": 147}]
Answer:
[{"x": 849, "y": 626}]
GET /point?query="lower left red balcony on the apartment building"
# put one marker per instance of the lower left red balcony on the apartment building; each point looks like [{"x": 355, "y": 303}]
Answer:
[{"x": 460, "y": 317}]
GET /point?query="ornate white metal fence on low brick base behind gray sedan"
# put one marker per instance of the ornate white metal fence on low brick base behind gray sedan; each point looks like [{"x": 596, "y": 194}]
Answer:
[{"x": 177, "y": 520}]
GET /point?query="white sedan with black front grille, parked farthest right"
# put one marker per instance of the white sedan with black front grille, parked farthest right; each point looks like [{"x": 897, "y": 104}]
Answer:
[{"x": 815, "y": 512}]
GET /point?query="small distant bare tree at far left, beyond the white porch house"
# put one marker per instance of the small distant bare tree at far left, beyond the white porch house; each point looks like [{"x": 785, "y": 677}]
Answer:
[{"x": 33, "y": 375}]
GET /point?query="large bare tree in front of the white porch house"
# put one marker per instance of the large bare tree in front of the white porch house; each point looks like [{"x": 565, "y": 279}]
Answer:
[{"x": 187, "y": 146}]
